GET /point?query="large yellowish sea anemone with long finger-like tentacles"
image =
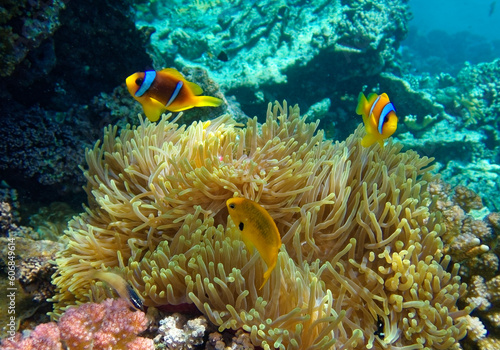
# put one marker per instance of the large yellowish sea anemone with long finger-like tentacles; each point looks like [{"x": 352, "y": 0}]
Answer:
[{"x": 361, "y": 264}]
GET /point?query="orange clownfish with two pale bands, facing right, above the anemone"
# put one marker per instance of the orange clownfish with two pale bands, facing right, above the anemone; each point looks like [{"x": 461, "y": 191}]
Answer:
[{"x": 379, "y": 116}]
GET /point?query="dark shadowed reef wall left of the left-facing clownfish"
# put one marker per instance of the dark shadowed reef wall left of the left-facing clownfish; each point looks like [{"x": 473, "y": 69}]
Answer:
[{"x": 47, "y": 119}]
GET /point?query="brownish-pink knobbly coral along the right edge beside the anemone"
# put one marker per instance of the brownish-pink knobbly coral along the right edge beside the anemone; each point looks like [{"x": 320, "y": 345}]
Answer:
[{"x": 474, "y": 243}]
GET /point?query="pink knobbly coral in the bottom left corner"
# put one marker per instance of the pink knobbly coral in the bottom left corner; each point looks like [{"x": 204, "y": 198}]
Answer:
[{"x": 108, "y": 325}]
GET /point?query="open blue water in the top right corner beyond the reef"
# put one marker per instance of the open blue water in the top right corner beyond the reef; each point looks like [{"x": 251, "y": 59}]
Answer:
[{"x": 445, "y": 34}]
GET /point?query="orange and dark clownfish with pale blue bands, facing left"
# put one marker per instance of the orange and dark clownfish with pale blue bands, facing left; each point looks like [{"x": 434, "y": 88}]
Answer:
[{"x": 165, "y": 90}]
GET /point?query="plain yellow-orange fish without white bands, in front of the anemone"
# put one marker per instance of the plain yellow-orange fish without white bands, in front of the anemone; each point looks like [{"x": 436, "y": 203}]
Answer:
[{"x": 258, "y": 230}]
